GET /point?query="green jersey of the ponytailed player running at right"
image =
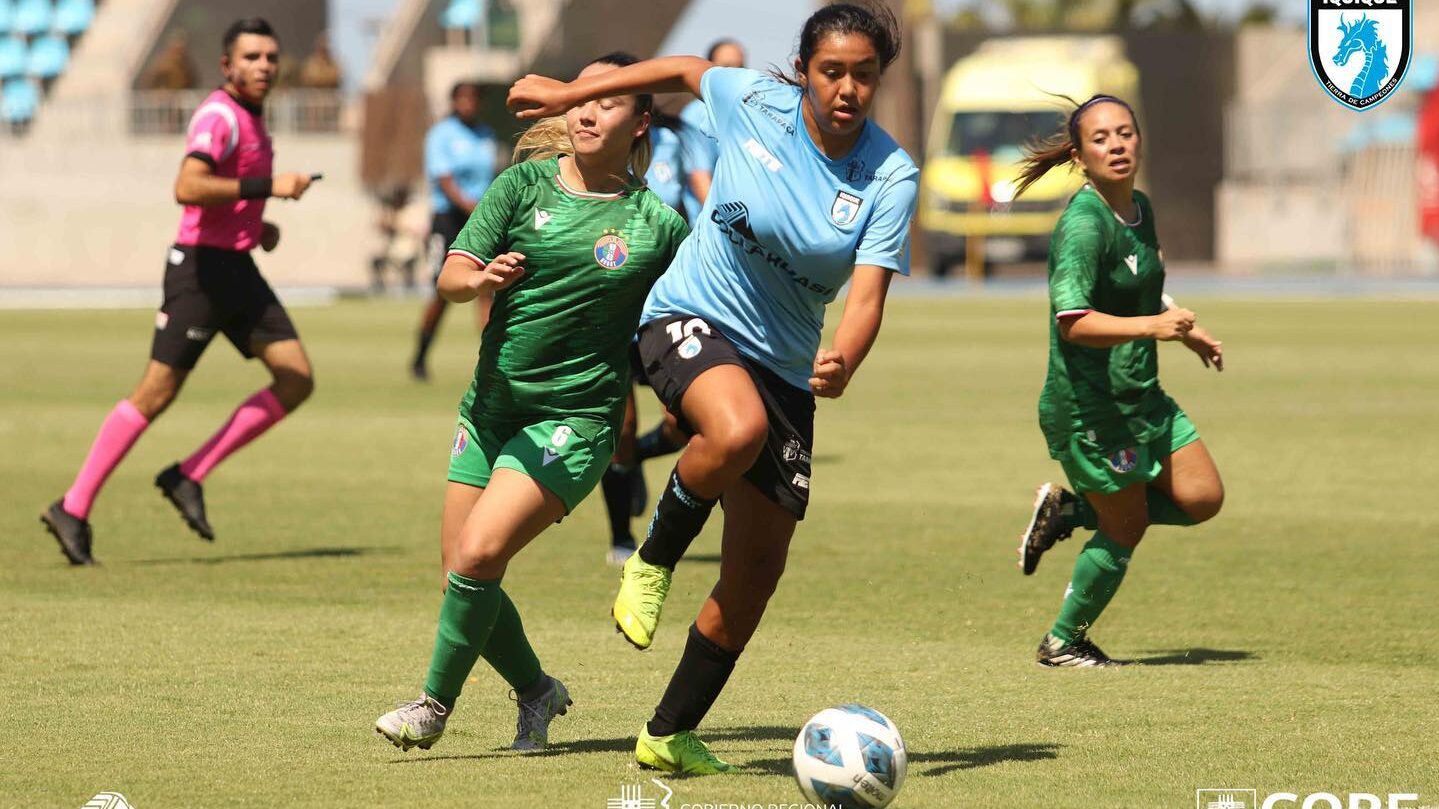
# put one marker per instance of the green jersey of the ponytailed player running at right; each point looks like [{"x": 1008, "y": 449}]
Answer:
[{"x": 1097, "y": 263}]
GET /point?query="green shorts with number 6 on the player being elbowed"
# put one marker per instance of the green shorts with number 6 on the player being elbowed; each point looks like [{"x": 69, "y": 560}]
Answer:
[{"x": 568, "y": 457}]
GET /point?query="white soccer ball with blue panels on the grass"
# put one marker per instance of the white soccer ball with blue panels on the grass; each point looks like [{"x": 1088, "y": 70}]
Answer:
[{"x": 850, "y": 756}]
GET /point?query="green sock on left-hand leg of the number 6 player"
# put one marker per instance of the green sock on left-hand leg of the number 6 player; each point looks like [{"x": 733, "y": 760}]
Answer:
[{"x": 467, "y": 618}]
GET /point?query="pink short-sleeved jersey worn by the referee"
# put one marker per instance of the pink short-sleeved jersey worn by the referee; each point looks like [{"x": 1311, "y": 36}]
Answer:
[{"x": 231, "y": 137}]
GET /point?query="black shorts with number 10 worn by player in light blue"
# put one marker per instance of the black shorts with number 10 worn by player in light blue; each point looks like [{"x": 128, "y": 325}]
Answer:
[{"x": 784, "y": 470}]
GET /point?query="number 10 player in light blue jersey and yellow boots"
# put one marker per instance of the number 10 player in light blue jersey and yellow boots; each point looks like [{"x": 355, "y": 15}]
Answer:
[{"x": 808, "y": 195}]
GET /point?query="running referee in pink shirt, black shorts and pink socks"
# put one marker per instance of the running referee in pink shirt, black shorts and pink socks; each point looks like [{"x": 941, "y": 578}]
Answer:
[{"x": 212, "y": 286}]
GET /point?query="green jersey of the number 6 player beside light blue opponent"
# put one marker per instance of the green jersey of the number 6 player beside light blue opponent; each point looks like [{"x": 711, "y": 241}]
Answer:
[{"x": 558, "y": 342}]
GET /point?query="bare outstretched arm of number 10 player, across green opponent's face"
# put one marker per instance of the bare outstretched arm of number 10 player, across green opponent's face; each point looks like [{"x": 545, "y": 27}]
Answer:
[{"x": 540, "y": 97}]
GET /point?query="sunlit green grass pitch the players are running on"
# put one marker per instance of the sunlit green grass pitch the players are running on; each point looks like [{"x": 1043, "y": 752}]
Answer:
[{"x": 1290, "y": 644}]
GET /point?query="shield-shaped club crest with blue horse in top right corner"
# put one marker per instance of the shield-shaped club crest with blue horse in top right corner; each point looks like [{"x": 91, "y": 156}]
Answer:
[{"x": 1361, "y": 50}]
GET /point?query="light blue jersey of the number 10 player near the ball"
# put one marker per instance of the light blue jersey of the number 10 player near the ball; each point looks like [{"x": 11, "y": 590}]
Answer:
[{"x": 784, "y": 227}]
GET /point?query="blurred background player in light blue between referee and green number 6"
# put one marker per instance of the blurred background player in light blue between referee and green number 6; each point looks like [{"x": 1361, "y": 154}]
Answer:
[{"x": 460, "y": 165}]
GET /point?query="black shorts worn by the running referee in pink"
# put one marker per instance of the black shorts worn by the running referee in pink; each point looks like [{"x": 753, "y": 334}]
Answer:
[{"x": 212, "y": 290}]
